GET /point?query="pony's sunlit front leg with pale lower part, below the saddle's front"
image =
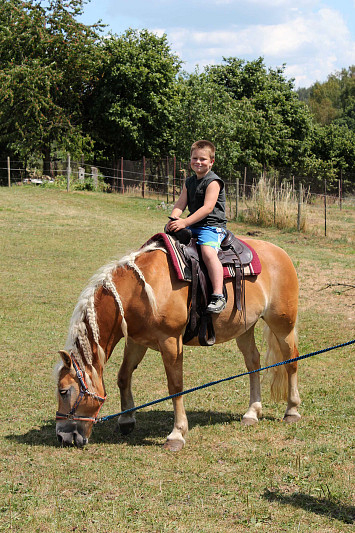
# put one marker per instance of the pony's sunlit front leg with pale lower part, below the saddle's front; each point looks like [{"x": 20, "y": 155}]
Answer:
[{"x": 172, "y": 353}]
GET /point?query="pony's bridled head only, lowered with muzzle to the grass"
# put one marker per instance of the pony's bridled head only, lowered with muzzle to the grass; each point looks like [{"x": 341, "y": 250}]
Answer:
[{"x": 80, "y": 397}]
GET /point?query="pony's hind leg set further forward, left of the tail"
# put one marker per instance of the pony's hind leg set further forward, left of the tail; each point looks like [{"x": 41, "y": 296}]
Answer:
[{"x": 246, "y": 344}]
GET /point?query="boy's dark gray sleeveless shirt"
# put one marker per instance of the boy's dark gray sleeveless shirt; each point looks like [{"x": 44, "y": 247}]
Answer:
[{"x": 196, "y": 190}]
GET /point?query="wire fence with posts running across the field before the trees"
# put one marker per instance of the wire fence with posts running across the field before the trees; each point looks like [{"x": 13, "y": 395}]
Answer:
[{"x": 272, "y": 198}]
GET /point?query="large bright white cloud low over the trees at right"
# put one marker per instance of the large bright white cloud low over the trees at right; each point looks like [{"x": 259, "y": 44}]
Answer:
[{"x": 312, "y": 45}]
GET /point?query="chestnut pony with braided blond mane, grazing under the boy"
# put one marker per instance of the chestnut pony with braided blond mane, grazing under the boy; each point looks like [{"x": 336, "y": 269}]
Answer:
[{"x": 140, "y": 299}]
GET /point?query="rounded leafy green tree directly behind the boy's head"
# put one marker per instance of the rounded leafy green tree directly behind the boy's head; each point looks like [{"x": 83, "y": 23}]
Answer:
[{"x": 253, "y": 115}]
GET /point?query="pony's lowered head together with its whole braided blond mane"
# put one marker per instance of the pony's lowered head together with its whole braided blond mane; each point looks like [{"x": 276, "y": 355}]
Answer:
[{"x": 80, "y": 387}]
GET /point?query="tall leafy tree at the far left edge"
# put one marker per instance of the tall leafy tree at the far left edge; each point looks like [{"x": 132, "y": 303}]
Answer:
[{"x": 47, "y": 60}]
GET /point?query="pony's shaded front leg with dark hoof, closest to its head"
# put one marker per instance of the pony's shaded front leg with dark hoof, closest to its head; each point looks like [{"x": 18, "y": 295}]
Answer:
[{"x": 133, "y": 354}]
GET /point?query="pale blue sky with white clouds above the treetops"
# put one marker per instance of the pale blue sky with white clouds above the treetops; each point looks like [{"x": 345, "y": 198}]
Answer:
[{"x": 314, "y": 38}]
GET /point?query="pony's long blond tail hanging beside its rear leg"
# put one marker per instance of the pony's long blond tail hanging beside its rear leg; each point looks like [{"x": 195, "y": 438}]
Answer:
[{"x": 277, "y": 375}]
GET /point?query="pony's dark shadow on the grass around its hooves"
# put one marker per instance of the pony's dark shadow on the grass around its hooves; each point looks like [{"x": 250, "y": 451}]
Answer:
[{"x": 151, "y": 429}]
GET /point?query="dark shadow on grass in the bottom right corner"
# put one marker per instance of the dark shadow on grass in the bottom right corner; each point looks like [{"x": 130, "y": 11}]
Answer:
[{"x": 322, "y": 506}]
